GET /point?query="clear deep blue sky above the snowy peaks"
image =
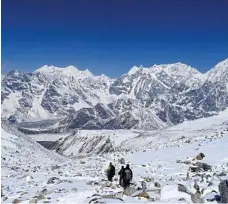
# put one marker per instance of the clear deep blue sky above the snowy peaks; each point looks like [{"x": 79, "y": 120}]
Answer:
[{"x": 111, "y": 36}]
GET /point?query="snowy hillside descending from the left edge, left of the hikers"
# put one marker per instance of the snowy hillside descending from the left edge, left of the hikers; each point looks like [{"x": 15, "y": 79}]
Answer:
[{"x": 20, "y": 152}]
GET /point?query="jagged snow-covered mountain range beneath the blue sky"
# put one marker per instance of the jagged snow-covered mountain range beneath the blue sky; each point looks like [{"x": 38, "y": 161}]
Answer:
[{"x": 144, "y": 98}]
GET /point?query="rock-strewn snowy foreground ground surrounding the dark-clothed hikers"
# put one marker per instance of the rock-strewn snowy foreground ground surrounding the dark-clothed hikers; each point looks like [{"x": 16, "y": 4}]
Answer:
[{"x": 46, "y": 177}]
